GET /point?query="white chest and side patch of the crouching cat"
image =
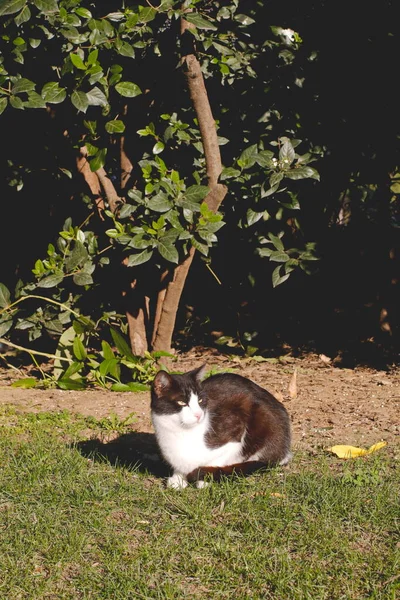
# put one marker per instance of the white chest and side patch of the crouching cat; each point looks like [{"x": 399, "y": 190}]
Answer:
[{"x": 185, "y": 448}]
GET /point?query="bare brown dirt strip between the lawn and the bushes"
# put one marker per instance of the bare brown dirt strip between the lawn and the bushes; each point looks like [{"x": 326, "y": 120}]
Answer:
[{"x": 328, "y": 405}]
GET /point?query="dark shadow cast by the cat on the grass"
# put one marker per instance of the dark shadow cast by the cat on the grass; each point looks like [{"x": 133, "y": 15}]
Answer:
[{"x": 135, "y": 450}]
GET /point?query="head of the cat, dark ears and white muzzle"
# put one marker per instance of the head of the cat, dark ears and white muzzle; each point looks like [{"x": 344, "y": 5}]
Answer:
[{"x": 179, "y": 396}]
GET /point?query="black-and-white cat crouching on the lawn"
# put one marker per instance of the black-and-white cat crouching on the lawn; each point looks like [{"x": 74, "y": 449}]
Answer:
[{"x": 220, "y": 425}]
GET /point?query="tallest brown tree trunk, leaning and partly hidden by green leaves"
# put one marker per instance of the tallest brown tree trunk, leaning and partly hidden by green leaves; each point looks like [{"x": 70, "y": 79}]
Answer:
[{"x": 201, "y": 104}]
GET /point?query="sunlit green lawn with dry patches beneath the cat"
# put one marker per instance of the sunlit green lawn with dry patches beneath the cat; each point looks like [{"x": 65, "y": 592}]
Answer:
[{"x": 79, "y": 527}]
